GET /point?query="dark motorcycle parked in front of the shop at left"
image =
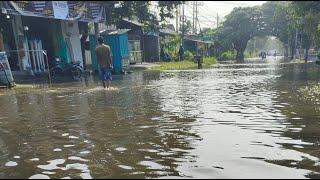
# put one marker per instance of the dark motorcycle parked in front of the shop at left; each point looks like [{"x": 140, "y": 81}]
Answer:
[{"x": 74, "y": 69}]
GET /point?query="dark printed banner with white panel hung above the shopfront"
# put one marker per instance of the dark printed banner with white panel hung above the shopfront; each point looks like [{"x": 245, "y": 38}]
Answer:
[{"x": 84, "y": 11}]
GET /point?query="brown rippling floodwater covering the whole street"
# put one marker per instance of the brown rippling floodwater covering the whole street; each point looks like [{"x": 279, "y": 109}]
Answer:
[{"x": 229, "y": 121}]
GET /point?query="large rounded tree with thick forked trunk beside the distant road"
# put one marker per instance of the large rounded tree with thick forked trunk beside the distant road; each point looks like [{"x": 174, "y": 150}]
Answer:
[{"x": 240, "y": 26}]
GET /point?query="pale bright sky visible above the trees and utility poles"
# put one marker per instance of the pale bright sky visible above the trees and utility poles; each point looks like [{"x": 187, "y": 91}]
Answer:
[{"x": 208, "y": 11}]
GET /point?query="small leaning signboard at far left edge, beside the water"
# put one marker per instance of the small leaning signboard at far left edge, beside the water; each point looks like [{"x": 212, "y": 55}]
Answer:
[{"x": 5, "y": 71}]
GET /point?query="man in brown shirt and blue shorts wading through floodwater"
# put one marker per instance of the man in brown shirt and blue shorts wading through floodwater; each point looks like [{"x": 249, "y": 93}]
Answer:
[{"x": 104, "y": 59}]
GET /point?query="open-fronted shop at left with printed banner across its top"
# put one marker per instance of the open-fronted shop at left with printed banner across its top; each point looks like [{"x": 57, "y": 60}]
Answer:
[{"x": 61, "y": 28}]
